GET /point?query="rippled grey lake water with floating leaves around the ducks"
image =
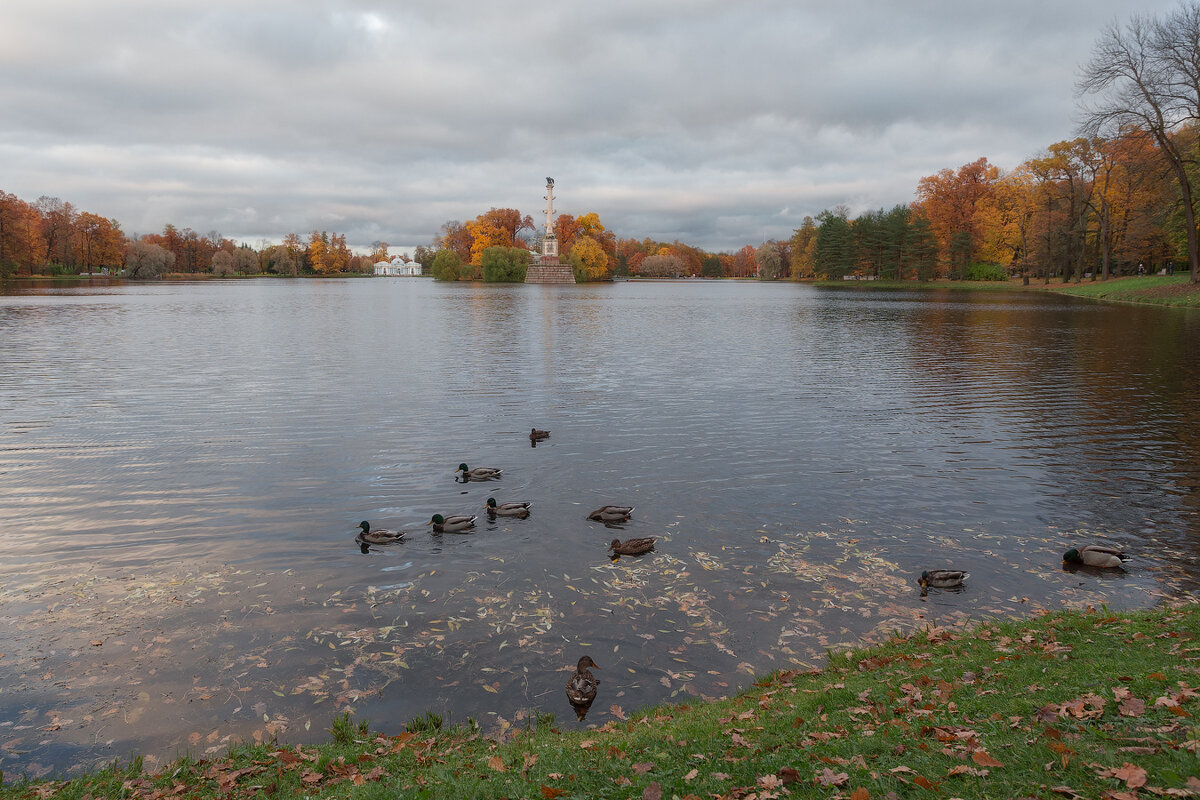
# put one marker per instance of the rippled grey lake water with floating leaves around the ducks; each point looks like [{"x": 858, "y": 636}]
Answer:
[{"x": 184, "y": 467}]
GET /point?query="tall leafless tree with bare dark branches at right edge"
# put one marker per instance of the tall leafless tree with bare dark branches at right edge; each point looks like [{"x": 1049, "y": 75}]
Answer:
[{"x": 1147, "y": 75}]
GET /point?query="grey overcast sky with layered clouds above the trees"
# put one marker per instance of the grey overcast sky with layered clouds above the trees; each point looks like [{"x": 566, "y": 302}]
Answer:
[{"x": 718, "y": 123}]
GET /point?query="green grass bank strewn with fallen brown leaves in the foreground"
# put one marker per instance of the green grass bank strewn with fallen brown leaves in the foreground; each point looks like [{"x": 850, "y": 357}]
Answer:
[{"x": 1067, "y": 706}]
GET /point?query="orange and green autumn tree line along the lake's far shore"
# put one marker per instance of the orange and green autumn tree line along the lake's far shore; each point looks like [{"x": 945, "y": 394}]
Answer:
[{"x": 1119, "y": 199}]
